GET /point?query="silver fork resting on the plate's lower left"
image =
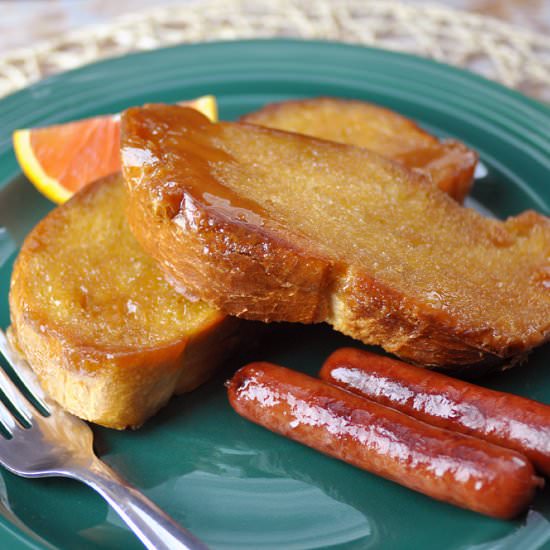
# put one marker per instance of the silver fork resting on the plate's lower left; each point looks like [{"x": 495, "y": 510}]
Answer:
[{"x": 62, "y": 445}]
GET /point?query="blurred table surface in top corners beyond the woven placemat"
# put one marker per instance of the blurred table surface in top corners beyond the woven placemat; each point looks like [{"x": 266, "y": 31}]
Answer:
[{"x": 23, "y": 23}]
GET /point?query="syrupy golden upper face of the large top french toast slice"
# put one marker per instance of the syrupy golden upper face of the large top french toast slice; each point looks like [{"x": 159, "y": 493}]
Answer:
[{"x": 351, "y": 206}]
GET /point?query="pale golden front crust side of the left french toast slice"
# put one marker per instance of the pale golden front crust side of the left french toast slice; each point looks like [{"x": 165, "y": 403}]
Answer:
[{"x": 123, "y": 389}]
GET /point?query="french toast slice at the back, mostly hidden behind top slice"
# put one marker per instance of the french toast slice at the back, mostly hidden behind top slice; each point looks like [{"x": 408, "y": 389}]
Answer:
[{"x": 449, "y": 163}]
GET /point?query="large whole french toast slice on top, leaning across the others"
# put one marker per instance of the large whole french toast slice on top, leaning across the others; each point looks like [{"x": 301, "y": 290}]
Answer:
[{"x": 278, "y": 226}]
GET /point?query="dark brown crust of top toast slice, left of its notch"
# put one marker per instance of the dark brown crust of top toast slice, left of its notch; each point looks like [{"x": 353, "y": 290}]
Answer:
[{"x": 254, "y": 275}]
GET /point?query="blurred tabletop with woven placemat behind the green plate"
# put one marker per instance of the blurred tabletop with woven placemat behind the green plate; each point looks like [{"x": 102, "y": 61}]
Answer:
[{"x": 503, "y": 40}]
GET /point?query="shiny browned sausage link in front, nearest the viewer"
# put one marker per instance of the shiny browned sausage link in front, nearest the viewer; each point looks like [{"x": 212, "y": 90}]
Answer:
[{"x": 445, "y": 465}]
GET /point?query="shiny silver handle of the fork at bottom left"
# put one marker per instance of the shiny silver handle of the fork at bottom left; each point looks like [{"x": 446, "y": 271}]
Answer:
[{"x": 154, "y": 528}]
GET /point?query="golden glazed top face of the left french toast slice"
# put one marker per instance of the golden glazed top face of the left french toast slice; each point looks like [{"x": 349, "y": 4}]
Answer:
[{"x": 87, "y": 278}]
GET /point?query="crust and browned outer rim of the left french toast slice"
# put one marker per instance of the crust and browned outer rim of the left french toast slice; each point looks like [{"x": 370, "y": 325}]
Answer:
[{"x": 111, "y": 384}]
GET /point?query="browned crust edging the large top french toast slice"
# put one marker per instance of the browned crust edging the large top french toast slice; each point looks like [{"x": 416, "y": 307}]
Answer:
[{"x": 258, "y": 270}]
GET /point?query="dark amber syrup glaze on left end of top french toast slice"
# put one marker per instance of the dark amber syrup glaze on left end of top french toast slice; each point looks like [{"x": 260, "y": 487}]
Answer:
[{"x": 182, "y": 152}]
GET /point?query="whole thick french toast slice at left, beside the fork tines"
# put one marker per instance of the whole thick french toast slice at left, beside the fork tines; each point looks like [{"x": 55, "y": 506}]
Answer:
[{"x": 108, "y": 337}]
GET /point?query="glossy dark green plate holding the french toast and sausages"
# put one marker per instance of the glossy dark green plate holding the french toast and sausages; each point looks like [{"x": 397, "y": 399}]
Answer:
[{"x": 232, "y": 483}]
